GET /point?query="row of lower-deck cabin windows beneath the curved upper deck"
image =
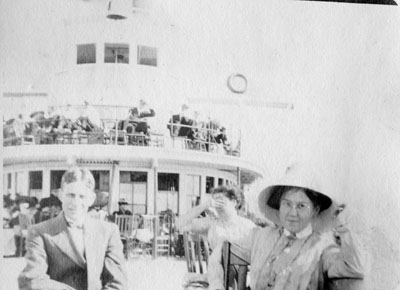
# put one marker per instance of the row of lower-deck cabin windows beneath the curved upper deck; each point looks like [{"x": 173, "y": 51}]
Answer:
[{"x": 132, "y": 188}]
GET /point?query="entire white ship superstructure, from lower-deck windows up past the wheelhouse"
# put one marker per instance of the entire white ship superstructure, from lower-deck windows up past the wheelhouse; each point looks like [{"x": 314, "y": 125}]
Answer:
[{"x": 111, "y": 105}]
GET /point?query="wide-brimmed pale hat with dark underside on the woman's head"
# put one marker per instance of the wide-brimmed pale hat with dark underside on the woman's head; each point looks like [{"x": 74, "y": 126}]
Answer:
[{"x": 296, "y": 176}]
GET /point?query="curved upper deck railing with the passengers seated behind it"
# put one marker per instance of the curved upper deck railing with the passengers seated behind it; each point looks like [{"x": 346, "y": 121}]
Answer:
[{"x": 113, "y": 130}]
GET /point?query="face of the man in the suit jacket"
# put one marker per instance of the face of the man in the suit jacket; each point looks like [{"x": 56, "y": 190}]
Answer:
[{"x": 76, "y": 199}]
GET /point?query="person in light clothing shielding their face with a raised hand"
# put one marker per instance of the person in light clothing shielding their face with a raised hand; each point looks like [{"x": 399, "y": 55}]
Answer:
[{"x": 223, "y": 224}]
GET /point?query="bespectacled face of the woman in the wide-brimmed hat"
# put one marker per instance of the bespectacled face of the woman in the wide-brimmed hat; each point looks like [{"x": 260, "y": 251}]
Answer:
[{"x": 296, "y": 210}]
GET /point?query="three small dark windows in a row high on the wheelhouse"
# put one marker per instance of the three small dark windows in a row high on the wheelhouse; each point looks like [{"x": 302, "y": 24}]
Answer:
[{"x": 116, "y": 53}]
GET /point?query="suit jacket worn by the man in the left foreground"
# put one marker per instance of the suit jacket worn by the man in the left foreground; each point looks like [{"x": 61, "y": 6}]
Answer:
[{"x": 54, "y": 261}]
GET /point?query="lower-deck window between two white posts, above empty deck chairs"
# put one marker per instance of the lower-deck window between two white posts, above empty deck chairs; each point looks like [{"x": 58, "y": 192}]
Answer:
[{"x": 133, "y": 188}]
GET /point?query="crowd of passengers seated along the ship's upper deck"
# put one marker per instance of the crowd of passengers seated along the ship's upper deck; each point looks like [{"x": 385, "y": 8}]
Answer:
[{"x": 43, "y": 128}]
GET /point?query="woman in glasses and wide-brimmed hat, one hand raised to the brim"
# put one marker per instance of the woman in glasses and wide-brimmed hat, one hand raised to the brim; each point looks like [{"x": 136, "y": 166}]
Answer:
[{"x": 300, "y": 252}]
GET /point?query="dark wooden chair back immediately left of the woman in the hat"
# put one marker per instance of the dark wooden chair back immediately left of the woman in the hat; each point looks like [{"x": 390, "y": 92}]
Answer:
[{"x": 230, "y": 259}]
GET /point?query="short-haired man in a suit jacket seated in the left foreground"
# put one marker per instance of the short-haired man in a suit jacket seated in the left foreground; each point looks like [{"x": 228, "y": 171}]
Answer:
[{"x": 73, "y": 251}]
